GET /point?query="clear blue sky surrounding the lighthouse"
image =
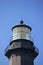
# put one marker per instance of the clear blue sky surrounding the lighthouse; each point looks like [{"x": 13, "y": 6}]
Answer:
[{"x": 11, "y": 12}]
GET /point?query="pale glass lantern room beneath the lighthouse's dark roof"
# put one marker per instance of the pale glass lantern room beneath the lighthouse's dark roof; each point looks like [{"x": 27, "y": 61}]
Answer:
[{"x": 21, "y": 33}]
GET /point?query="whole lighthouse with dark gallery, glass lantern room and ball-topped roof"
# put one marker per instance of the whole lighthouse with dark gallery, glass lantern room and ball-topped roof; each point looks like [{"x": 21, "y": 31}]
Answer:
[{"x": 21, "y": 50}]
